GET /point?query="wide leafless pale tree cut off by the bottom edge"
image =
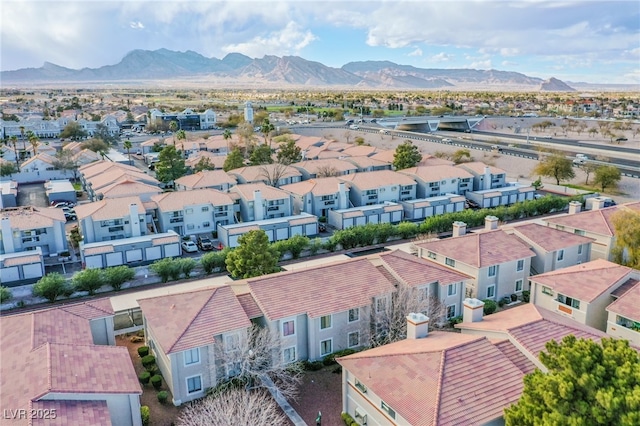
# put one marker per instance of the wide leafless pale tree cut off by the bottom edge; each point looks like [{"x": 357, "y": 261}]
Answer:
[{"x": 233, "y": 407}]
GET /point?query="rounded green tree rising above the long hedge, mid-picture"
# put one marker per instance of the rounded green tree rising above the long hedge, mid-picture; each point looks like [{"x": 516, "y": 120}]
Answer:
[{"x": 253, "y": 257}]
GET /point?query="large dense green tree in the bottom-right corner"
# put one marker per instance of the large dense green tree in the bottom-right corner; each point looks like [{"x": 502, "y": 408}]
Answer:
[{"x": 587, "y": 383}]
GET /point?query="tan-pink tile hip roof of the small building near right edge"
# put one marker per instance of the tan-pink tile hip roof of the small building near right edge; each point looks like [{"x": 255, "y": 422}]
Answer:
[{"x": 586, "y": 281}]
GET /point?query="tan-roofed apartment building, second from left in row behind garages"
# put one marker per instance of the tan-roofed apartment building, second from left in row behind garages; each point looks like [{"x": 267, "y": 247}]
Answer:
[{"x": 112, "y": 219}]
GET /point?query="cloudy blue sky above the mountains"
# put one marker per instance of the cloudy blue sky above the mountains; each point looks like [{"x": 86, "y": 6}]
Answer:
[{"x": 592, "y": 41}]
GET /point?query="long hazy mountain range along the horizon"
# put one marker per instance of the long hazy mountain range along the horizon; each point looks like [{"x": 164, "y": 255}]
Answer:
[{"x": 238, "y": 70}]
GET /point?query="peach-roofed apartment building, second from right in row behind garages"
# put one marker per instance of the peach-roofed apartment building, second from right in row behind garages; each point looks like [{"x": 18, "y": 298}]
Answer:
[{"x": 435, "y": 180}]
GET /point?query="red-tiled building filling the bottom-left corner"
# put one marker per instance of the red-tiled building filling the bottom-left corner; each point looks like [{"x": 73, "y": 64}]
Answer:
[{"x": 62, "y": 361}]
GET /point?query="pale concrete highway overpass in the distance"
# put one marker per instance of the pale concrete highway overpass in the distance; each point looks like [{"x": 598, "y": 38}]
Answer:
[{"x": 430, "y": 123}]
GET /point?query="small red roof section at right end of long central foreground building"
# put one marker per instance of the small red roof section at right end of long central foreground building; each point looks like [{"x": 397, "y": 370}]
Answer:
[{"x": 415, "y": 271}]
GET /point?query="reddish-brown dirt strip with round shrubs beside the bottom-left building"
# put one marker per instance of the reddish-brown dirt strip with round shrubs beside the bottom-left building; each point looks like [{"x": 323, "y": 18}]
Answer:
[{"x": 161, "y": 414}]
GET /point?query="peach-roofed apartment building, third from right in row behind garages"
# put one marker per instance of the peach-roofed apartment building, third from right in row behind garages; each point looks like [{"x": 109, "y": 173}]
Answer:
[{"x": 372, "y": 188}]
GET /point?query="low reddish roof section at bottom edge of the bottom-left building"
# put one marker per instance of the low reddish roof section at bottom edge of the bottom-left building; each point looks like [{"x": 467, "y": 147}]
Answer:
[{"x": 72, "y": 413}]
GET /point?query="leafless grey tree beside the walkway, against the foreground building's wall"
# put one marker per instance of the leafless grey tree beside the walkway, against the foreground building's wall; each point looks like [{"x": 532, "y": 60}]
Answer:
[{"x": 258, "y": 361}]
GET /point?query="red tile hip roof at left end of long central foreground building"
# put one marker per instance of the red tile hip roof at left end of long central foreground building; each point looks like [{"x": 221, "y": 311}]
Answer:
[{"x": 188, "y": 320}]
